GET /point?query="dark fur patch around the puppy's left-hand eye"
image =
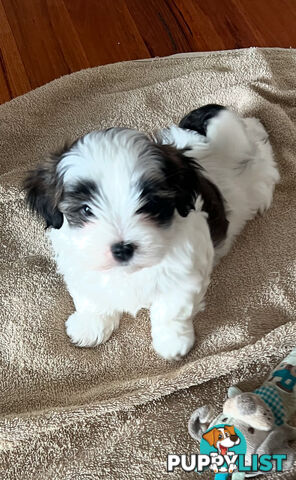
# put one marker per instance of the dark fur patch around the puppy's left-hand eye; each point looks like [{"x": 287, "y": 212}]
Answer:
[{"x": 74, "y": 201}]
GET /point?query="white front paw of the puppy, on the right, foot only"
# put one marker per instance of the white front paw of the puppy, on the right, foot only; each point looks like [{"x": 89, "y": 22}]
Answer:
[{"x": 172, "y": 345}]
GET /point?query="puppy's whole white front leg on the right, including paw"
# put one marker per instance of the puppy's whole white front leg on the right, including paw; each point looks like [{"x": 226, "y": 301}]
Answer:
[{"x": 171, "y": 325}]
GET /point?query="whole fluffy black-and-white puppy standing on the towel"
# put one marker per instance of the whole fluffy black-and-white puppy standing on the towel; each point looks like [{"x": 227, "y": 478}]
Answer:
[{"x": 139, "y": 222}]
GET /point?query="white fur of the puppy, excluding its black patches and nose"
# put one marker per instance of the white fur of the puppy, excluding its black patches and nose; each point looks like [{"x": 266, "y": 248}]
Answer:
[{"x": 171, "y": 268}]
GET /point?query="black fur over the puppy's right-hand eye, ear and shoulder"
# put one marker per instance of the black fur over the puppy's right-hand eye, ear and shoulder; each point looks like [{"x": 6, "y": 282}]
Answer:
[{"x": 177, "y": 189}]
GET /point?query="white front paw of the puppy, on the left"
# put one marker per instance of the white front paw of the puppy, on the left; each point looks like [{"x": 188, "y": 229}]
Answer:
[{"x": 88, "y": 330}]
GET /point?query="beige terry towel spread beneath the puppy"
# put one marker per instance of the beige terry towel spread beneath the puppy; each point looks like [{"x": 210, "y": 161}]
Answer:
[{"x": 116, "y": 411}]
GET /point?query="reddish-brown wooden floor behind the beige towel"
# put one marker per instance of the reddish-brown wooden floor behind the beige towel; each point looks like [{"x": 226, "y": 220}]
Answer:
[{"x": 43, "y": 39}]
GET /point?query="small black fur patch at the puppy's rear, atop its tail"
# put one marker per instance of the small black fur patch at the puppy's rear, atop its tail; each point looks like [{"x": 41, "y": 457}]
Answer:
[{"x": 197, "y": 120}]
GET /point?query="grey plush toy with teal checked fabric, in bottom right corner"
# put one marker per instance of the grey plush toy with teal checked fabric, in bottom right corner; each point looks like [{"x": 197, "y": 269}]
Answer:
[{"x": 261, "y": 417}]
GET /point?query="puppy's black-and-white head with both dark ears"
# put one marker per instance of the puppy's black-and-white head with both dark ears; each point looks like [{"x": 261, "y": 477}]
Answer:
[{"x": 116, "y": 194}]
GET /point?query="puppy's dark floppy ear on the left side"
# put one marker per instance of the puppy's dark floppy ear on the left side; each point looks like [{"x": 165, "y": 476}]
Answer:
[{"x": 44, "y": 188}]
